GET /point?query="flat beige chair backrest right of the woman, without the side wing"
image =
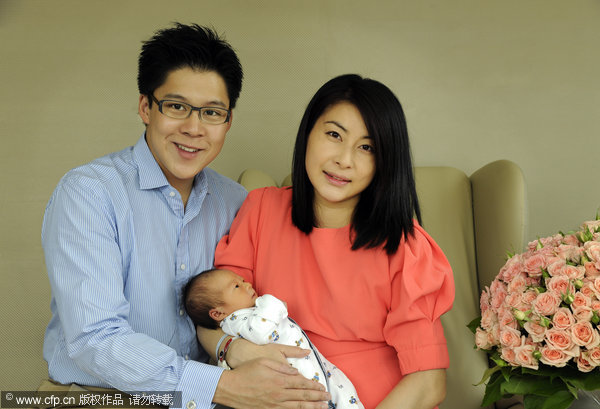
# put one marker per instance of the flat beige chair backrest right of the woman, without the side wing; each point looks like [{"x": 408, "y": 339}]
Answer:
[{"x": 446, "y": 207}]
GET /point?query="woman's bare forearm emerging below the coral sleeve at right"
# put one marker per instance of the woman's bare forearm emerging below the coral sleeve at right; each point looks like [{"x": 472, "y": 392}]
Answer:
[{"x": 418, "y": 390}]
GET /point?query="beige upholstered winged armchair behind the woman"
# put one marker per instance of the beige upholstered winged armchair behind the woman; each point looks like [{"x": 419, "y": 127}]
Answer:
[{"x": 474, "y": 220}]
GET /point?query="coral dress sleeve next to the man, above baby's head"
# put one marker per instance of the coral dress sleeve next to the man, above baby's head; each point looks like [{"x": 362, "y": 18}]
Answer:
[{"x": 236, "y": 250}]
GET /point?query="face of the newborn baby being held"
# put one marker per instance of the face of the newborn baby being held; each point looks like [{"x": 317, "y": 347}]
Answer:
[{"x": 236, "y": 293}]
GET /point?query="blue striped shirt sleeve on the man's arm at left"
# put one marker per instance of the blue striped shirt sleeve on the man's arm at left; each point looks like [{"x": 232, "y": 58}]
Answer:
[{"x": 87, "y": 277}]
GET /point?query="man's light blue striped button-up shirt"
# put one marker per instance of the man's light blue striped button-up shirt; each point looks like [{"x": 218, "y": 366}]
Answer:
[{"x": 119, "y": 247}]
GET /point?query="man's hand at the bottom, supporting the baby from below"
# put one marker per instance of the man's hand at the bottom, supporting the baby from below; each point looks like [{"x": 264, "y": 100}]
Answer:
[{"x": 264, "y": 383}]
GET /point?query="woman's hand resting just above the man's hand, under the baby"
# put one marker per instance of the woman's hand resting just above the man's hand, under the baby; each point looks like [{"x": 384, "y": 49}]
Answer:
[{"x": 242, "y": 350}]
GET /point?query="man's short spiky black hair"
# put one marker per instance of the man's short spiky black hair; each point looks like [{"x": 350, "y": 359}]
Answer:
[{"x": 193, "y": 46}]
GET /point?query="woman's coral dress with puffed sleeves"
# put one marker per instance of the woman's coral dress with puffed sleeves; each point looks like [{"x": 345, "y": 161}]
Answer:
[{"x": 374, "y": 316}]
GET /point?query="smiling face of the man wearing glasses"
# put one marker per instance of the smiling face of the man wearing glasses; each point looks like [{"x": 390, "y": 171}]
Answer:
[{"x": 183, "y": 147}]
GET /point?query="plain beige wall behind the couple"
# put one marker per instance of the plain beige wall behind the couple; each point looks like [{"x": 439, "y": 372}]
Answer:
[{"x": 479, "y": 80}]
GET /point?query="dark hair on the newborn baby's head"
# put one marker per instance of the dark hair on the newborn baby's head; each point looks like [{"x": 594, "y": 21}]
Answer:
[{"x": 199, "y": 299}]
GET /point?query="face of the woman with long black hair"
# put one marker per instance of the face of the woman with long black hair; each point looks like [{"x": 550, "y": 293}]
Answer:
[{"x": 340, "y": 160}]
